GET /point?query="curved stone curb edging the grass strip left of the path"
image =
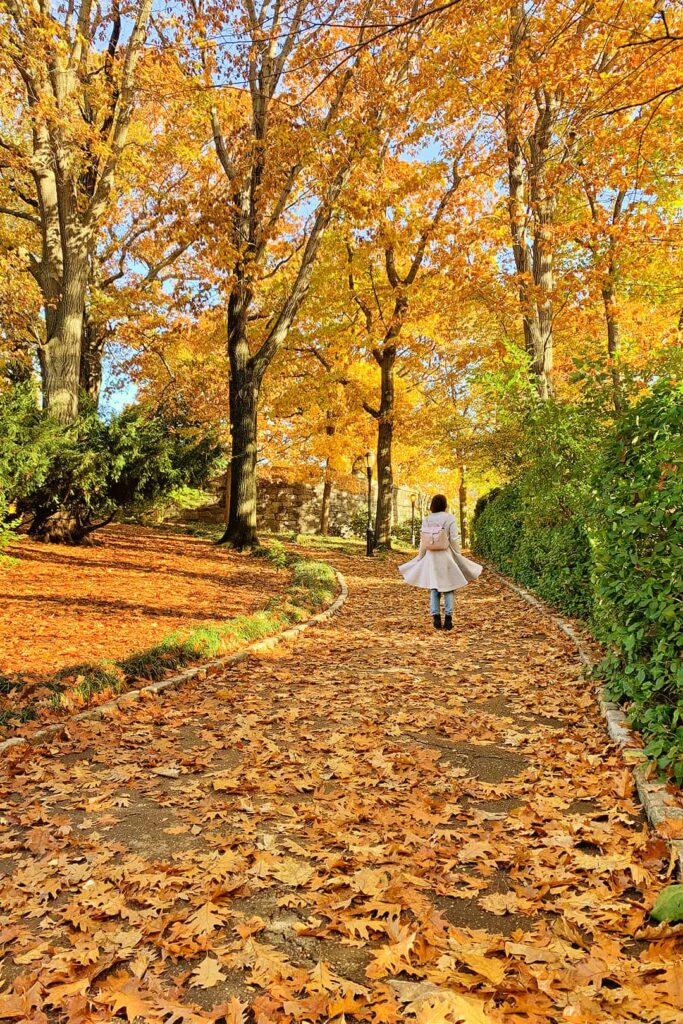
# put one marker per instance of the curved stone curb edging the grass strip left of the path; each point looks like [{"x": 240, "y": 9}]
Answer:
[{"x": 173, "y": 682}]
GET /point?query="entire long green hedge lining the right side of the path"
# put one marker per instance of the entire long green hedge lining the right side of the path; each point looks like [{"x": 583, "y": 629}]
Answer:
[{"x": 594, "y": 526}]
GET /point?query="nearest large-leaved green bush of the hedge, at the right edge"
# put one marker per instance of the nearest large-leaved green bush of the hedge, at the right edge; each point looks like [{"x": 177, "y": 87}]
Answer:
[{"x": 639, "y": 570}]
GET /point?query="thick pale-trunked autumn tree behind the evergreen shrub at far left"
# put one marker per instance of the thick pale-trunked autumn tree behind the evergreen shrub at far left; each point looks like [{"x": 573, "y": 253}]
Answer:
[{"x": 70, "y": 86}]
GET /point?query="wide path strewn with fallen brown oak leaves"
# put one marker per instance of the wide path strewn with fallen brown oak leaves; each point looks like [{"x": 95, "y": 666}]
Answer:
[{"x": 376, "y": 824}]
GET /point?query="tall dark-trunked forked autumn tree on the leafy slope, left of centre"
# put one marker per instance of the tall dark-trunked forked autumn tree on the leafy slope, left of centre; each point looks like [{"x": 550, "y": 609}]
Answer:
[{"x": 281, "y": 144}]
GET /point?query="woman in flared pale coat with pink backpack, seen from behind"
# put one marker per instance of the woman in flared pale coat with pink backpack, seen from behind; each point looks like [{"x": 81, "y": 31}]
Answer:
[{"x": 440, "y": 567}]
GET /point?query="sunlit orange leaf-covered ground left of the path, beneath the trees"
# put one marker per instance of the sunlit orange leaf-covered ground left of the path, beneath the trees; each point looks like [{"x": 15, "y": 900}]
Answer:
[{"x": 127, "y": 590}]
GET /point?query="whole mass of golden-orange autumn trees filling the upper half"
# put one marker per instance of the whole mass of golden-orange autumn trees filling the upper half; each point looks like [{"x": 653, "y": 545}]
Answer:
[{"x": 367, "y": 224}]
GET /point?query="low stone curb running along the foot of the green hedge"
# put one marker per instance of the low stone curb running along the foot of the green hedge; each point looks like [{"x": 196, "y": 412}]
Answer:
[{"x": 659, "y": 805}]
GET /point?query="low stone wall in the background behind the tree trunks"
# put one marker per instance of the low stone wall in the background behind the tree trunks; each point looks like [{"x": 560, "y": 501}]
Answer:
[{"x": 286, "y": 505}]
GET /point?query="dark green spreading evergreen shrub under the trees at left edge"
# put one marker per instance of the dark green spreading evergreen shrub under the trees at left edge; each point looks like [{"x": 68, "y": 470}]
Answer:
[{"x": 67, "y": 482}]
